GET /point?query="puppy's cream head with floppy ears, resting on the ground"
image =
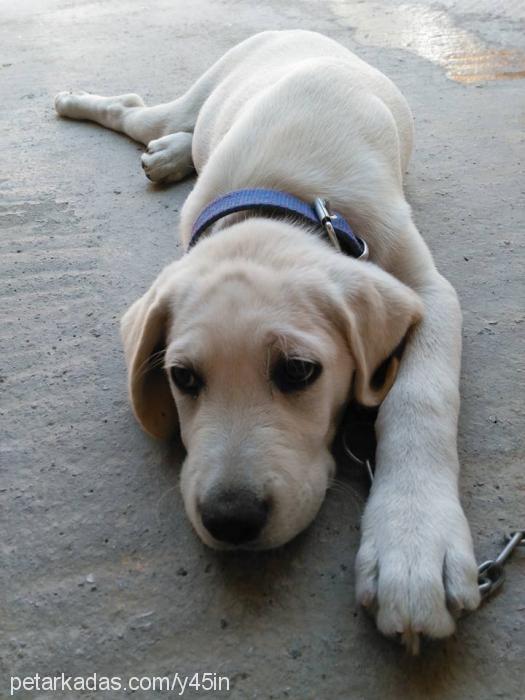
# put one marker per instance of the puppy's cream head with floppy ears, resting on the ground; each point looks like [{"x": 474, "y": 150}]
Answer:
[{"x": 252, "y": 353}]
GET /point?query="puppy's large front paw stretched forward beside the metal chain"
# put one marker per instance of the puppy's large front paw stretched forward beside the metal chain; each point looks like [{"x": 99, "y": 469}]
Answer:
[{"x": 415, "y": 568}]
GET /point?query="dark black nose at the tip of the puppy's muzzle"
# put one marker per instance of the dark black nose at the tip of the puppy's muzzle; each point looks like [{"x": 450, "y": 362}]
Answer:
[{"x": 235, "y": 517}]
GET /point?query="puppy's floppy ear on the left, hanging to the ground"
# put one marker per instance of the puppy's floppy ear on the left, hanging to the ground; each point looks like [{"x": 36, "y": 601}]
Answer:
[{"x": 143, "y": 329}]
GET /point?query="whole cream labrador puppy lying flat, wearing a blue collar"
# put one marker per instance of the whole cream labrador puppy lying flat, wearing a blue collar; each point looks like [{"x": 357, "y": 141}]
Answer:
[{"x": 253, "y": 342}]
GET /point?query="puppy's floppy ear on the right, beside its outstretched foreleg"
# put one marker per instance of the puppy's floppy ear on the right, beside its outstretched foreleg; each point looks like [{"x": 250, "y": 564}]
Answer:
[{"x": 380, "y": 312}]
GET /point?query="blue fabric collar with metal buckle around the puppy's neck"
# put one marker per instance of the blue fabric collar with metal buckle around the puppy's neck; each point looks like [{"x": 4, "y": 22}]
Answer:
[{"x": 276, "y": 203}]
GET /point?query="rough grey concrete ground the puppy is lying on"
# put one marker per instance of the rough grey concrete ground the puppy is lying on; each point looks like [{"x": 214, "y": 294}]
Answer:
[{"x": 100, "y": 569}]
